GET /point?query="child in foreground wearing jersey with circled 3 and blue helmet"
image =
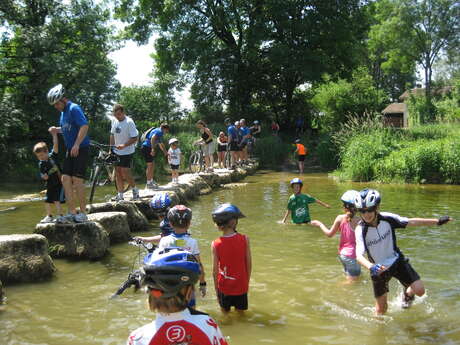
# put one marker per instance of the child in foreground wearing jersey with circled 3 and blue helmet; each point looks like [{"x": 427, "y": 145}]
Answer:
[{"x": 169, "y": 277}]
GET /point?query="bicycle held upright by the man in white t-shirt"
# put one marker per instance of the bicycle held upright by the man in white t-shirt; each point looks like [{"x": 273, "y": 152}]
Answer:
[{"x": 103, "y": 170}]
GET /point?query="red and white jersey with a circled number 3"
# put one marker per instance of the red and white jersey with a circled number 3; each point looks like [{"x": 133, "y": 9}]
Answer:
[{"x": 188, "y": 327}]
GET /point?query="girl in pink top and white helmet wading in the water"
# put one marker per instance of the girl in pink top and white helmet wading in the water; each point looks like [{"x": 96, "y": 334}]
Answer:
[{"x": 346, "y": 224}]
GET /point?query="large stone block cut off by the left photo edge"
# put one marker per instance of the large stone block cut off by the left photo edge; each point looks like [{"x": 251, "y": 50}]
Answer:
[{"x": 24, "y": 258}]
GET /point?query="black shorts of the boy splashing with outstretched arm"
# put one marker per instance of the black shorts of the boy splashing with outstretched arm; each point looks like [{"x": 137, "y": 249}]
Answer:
[{"x": 401, "y": 270}]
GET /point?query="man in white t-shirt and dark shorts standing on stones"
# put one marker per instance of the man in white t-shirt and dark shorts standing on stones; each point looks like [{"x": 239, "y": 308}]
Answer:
[{"x": 123, "y": 136}]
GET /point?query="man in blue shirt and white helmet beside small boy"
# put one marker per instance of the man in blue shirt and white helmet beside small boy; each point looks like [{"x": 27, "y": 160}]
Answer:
[{"x": 74, "y": 127}]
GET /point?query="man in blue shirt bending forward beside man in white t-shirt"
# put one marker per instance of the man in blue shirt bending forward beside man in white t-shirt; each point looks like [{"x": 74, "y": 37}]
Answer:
[{"x": 149, "y": 147}]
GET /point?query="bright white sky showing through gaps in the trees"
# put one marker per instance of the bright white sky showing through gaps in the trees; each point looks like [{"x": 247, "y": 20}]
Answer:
[{"x": 135, "y": 65}]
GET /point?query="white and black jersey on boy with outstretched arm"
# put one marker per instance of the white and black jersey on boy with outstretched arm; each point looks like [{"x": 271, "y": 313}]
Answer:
[{"x": 379, "y": 240}]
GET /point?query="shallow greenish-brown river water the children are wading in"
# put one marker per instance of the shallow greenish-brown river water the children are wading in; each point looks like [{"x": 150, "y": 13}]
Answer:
[{"x": 297, "y": 293}]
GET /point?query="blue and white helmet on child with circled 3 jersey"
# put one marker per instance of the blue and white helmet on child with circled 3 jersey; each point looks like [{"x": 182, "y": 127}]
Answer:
[{"x": 169, "y": 270}]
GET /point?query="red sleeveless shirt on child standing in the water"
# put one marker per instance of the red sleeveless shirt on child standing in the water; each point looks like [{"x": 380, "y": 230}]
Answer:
[{"x": 231, "y": 254}]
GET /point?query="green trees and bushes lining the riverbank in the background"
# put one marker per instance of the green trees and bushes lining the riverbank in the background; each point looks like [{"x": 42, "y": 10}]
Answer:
[{"x": 320, "y": 63}]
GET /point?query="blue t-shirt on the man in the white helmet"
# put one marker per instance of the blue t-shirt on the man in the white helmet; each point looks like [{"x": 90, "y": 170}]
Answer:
[{"x": 72, "y": 119}]
